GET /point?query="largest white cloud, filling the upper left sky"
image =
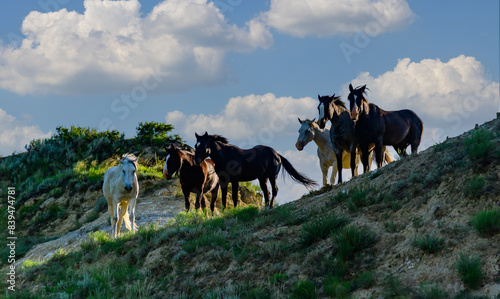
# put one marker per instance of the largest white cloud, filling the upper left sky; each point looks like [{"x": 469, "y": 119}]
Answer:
[{"x": 111, "y": 47}]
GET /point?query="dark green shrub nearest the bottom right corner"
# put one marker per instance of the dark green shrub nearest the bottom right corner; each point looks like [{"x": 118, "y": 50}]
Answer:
[{"x": 470, "y": 269}]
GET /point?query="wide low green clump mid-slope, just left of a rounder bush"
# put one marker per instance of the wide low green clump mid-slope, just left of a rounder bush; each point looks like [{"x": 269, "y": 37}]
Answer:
[{"x": 320, "y": 228}]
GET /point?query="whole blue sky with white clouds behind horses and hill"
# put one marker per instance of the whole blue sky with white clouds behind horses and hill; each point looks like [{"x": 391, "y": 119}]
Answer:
[{"x": 243, "y": 69}]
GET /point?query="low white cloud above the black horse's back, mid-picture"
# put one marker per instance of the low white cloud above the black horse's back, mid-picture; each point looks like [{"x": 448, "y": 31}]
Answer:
[{"x": 259, "y": 117}]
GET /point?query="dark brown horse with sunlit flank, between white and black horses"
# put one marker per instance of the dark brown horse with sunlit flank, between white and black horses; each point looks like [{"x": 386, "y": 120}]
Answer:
[{"x": 198, "y": 179}]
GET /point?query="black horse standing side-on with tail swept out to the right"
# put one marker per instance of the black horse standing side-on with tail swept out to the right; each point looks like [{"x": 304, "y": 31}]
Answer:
[{"x": 234, "y": 165}]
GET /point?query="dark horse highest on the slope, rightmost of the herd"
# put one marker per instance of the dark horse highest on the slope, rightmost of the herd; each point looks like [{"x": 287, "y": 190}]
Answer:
[{"x": 374, "y": 125}]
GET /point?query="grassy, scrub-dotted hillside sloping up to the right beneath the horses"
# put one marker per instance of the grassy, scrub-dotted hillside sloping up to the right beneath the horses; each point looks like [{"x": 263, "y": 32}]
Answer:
[{"x": 396, "y": 232}]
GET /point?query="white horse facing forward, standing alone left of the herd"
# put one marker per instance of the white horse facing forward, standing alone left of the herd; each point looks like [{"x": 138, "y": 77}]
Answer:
[{"x": 121, "y": 189}]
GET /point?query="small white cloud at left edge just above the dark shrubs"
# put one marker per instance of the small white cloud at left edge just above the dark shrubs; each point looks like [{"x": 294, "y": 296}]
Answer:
[{"x": 15, "y": 135}]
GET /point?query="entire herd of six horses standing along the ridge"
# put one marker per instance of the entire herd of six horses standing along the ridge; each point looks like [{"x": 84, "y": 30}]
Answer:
[{"x": 356, "y": 134}]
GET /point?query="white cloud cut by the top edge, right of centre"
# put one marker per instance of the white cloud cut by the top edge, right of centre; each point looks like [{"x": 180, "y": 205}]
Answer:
[{"x": 323, "y": 18}]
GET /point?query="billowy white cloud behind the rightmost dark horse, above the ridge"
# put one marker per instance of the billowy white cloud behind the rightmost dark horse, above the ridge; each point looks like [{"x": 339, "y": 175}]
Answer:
[{"x": 450, "y": 97}]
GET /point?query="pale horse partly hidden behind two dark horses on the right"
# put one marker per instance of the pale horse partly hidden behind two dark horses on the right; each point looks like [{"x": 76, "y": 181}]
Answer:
[{"x": 310, "y": 131}]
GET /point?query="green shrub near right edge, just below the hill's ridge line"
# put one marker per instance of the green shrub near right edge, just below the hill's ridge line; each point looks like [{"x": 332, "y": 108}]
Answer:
[{"x": 479, "y": 146}]
